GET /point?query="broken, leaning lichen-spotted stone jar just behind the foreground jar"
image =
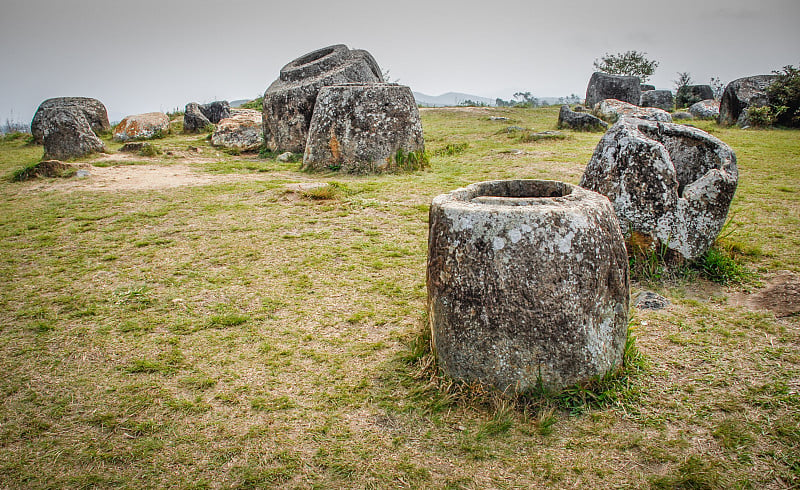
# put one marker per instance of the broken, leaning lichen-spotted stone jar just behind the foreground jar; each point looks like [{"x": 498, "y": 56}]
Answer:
[{"x": 669, "y": 182}]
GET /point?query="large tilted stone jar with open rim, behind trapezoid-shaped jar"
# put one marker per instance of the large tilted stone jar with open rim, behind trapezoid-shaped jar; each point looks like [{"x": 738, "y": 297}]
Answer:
[{"x": 289, "y": 101}]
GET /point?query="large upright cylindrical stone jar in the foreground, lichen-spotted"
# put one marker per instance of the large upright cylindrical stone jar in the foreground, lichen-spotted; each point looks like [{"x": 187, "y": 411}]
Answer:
[{"x": 527, "y": 282}]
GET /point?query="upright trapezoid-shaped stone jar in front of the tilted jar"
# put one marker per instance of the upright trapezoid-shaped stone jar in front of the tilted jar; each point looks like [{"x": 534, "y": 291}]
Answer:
[{"x": 362, "y": 128}]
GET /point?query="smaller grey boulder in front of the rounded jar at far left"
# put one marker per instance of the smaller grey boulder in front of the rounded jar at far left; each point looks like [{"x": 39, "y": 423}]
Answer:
[{"x": 67, "y": 134}]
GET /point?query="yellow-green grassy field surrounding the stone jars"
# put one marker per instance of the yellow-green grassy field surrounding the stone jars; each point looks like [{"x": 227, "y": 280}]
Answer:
[{"x": 241, "y": 335}]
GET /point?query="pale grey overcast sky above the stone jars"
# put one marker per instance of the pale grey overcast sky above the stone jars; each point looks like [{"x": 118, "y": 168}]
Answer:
[{"x": 156, "y": 55}]
